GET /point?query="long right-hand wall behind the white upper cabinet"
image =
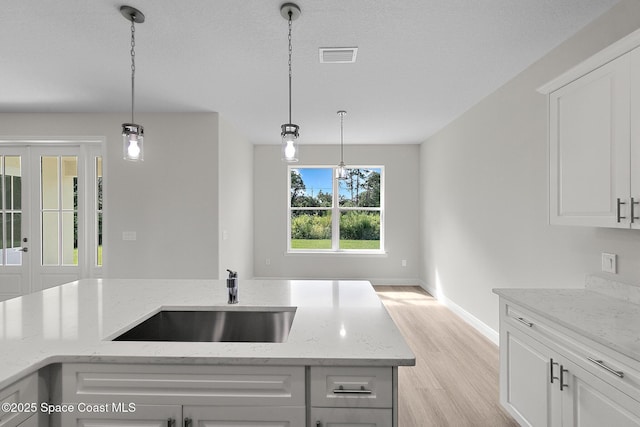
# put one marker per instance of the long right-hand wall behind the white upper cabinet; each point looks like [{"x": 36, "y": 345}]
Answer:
[{"x": 484, "y": 192}]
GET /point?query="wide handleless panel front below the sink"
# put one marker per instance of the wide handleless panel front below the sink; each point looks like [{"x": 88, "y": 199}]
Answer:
[{"x": 180, "y": 384}]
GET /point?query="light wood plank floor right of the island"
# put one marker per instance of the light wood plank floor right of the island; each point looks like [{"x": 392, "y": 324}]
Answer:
[{"x": 455, "y": 380}]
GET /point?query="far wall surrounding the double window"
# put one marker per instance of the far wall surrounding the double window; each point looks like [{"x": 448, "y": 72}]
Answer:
[{"x": 401, "y": 211}]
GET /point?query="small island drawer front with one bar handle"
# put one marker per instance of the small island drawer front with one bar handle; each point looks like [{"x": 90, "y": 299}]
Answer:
[{"x": 352, "y": 387}]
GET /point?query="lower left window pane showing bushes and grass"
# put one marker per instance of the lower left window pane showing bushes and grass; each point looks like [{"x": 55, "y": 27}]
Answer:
[{"x": 311, "y": 229}]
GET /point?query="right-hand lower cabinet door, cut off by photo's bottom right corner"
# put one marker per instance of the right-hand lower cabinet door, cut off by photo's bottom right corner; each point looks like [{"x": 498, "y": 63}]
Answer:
[{"x": 588, "y": 401}]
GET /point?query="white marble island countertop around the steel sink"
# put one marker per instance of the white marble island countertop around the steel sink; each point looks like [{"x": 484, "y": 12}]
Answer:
[{"x": 336, "y": 323}]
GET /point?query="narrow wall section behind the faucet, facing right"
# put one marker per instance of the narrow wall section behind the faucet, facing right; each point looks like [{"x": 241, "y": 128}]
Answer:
[{"x": 235, "y": 172}]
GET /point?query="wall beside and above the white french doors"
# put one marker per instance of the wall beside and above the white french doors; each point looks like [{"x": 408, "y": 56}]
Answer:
[{"x": 170, "y": 200}]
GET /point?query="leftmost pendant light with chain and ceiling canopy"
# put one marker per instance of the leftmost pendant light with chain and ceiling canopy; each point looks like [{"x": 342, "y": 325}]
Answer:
[{"x": 132, "y": 134}]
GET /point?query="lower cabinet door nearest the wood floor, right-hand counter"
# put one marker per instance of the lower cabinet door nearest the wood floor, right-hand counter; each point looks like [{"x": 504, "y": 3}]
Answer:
[{"x": 526, "y": 390}]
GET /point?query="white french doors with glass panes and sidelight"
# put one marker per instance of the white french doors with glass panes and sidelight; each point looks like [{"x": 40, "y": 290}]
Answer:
[{"x": 50, "y": 215}]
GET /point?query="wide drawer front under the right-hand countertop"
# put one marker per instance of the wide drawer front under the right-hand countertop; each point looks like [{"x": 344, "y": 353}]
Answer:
[{"x": 606, "y": 364}]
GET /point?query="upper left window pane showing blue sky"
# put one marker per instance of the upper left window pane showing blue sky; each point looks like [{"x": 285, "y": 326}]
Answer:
[{"x": 311, "y": 187}]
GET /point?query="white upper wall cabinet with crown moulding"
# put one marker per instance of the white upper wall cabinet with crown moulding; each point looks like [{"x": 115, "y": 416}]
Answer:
[{"x": 594, "y": 140}]
